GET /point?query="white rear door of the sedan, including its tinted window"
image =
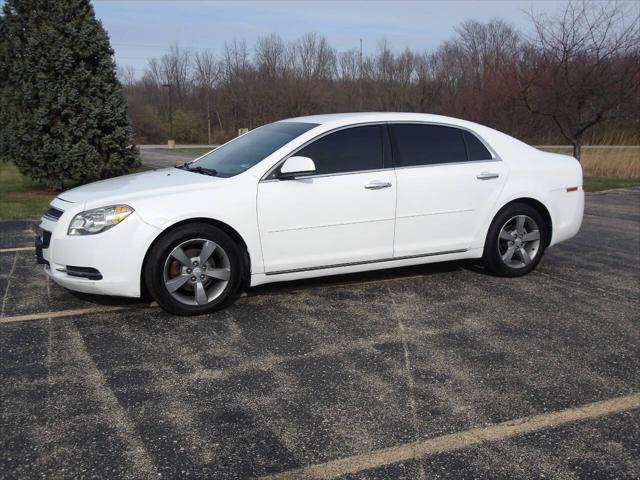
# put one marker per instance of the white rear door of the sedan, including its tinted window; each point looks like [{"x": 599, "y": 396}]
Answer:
[{"x": 448, "y": 181}]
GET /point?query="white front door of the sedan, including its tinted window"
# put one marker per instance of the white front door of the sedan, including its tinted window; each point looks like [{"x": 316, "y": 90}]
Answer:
[{"x": 342, "y": 214}]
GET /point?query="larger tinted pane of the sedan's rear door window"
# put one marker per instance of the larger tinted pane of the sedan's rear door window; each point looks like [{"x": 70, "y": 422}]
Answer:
[{"x": 427, "y": 144}]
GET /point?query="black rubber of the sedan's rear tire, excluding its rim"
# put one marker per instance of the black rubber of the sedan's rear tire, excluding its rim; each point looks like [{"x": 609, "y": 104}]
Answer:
[{"x": 491, "y": 256}]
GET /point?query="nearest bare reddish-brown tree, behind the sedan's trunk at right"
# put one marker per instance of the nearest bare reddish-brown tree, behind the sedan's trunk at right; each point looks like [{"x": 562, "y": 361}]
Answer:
[{"x": 581, "y": 66}]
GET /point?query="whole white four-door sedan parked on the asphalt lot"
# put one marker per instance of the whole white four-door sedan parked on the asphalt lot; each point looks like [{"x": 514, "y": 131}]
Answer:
[{"x": 309, "y": 197}]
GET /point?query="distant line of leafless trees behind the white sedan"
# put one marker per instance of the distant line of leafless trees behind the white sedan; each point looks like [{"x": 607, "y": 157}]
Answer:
[{"x": 577, "y": 79}]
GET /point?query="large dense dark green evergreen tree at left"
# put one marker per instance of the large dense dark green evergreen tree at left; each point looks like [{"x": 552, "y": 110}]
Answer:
[{"x": 63, "y": 114}]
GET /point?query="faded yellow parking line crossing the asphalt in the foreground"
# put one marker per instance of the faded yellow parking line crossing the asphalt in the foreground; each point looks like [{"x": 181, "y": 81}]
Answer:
[{"x": 455, "y": 441}]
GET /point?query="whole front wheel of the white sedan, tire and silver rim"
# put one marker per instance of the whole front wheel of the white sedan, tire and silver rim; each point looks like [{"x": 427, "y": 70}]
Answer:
[{"x": 181, "y": 283}]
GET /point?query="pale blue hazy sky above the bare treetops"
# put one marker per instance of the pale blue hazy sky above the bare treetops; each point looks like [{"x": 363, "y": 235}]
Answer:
[{"x": 143, "y": 29}]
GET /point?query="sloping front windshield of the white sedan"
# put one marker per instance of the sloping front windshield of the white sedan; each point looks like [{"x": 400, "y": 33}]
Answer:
[{"x": 247, "y": 150}]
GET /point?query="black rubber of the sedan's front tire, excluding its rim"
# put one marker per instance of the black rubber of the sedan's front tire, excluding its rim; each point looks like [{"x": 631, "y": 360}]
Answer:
[{"x": 153, "y": 274}]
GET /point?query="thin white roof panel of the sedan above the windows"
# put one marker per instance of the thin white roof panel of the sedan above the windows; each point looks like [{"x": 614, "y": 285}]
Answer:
[{"x": 340, "y": 119}]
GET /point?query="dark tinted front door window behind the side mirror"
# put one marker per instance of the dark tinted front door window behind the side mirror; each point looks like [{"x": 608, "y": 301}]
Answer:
[{"x": 350, "y": 150}]
